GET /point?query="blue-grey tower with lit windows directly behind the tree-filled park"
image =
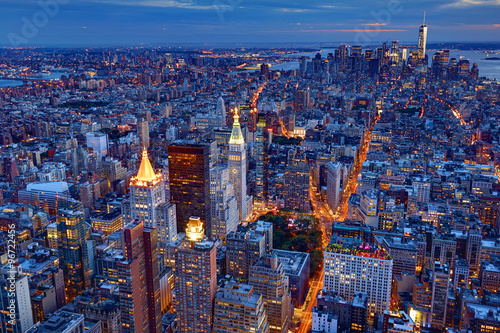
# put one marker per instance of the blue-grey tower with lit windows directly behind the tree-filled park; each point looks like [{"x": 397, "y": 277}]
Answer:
[{"x": 296, "y": 190}]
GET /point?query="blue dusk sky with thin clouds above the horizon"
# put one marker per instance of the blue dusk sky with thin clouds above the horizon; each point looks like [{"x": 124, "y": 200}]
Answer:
[{"x": 153, "y": 22}]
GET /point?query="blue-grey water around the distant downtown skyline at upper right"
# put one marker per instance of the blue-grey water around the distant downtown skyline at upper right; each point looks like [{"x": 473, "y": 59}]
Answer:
[{"x": 487, "y": 68}]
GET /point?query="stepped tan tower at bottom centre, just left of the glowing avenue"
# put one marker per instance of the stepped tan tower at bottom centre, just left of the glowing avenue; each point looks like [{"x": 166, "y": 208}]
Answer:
[{"x": 268, "y": 278}]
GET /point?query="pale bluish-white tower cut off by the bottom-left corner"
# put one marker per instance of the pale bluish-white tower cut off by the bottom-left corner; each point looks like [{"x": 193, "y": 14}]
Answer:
[{"x": 16, "y": 314}]
